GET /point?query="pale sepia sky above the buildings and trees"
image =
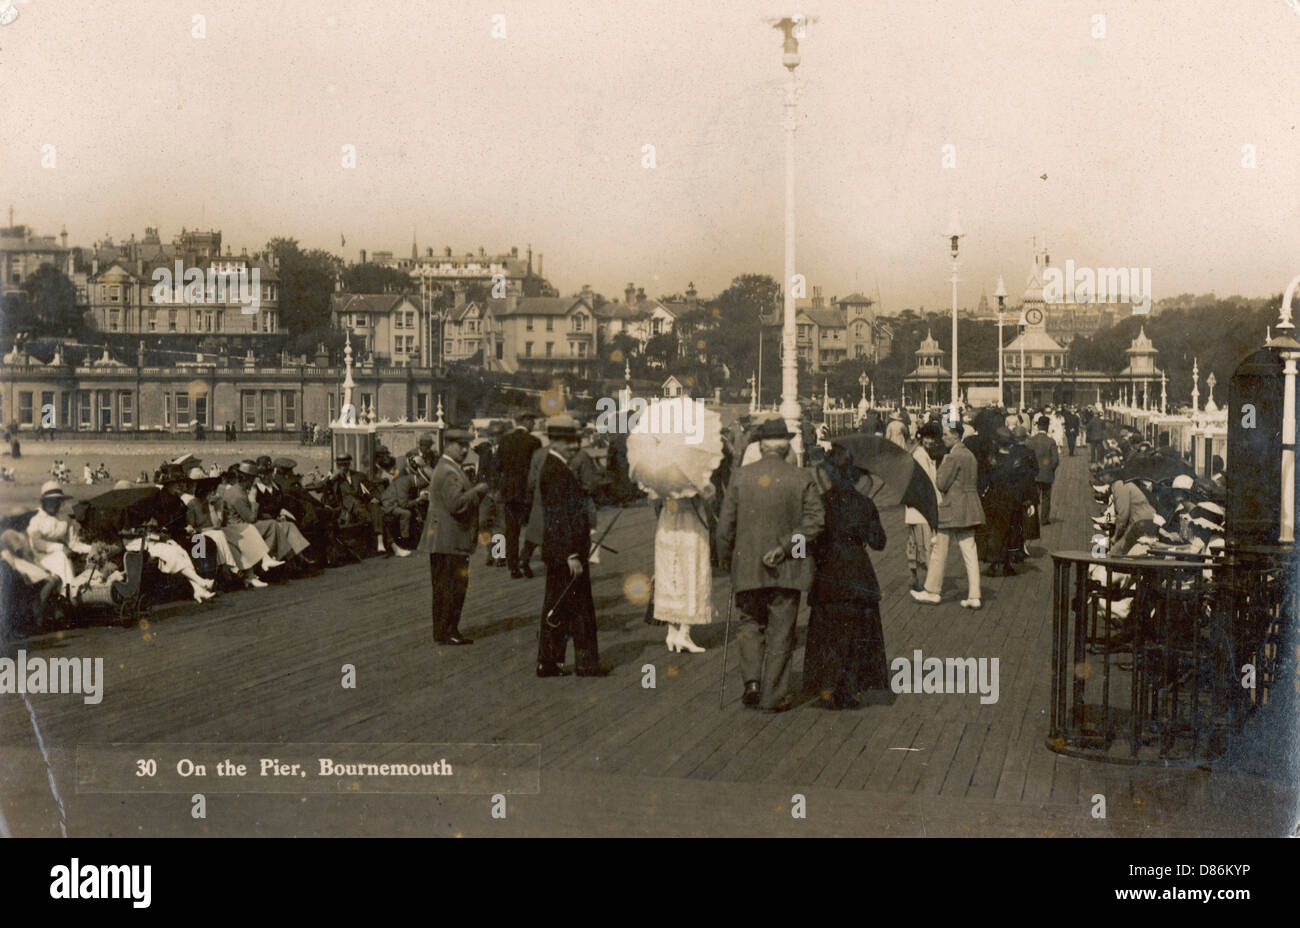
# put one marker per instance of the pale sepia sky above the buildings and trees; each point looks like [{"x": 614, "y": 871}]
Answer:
[{"x": 538, "y": 138}]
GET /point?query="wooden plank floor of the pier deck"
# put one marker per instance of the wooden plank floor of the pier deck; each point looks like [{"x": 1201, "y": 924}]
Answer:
[{"x": 266, "y": 667}]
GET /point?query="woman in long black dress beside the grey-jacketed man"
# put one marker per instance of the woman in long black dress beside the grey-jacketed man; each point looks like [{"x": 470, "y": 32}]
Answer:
[{"x": 844, "y": 661}]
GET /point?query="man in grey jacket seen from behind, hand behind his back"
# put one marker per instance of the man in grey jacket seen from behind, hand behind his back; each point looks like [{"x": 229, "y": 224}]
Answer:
[{"x": 770, "y": 518}]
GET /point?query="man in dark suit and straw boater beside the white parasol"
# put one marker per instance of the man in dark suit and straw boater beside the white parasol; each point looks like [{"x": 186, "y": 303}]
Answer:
[{"x": 569, "y": 609}]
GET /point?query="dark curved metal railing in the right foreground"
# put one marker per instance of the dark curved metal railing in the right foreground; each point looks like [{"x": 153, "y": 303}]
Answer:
[{"x": 1164, "y": 660}]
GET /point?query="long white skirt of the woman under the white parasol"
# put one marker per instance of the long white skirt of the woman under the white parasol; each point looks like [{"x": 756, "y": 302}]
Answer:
[{"x": 683, "y": 575}]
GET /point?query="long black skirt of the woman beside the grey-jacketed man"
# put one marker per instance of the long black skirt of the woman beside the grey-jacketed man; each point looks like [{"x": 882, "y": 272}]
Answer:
[{"x": 846, "y": 651}]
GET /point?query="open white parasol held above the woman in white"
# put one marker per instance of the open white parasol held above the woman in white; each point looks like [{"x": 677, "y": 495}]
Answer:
[{"x": 675, "y": 448}]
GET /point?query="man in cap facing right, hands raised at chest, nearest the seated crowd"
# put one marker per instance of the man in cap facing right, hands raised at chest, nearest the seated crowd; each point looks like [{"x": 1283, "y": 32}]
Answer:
[{"x": 450, "y": 535}]
